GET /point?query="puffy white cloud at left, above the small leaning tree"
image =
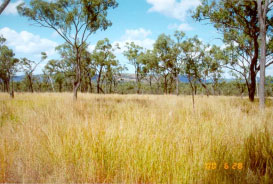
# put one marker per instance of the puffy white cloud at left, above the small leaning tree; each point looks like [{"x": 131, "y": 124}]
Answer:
[{"x": 27, "y": 43}]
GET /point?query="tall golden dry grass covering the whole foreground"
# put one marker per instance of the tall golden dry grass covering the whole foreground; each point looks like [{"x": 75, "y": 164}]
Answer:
[{"x": 48, "y": 138}]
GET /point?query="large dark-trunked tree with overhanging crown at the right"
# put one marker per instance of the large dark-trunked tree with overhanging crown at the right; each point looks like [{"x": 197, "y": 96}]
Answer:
[{"x": 238, "y": 21}]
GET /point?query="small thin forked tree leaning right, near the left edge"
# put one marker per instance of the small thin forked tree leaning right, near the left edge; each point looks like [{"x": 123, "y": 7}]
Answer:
[{"x": 28, "y": 67}]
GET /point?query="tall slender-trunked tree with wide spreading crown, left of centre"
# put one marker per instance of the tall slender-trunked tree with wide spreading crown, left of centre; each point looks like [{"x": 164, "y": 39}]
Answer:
[{"x": 73, "y": 20}]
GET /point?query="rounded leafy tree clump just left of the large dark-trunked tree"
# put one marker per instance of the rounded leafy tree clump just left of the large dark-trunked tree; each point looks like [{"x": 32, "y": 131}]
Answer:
[{"x": 202, "y": 62}]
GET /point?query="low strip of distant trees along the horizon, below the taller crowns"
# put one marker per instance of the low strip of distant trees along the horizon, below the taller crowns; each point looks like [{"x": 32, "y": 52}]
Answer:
[{"x": 42, "y": 83}]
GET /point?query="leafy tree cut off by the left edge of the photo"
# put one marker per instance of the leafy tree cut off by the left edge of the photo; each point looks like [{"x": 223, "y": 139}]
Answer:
[{"x": 8, "y": 66}]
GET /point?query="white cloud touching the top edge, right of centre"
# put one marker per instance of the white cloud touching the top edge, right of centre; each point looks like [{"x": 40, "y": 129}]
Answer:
[{"x": 173, "y": 8}]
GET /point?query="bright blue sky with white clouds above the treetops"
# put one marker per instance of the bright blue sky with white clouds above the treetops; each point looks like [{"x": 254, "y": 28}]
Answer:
[{"x": 140, "y": 21}]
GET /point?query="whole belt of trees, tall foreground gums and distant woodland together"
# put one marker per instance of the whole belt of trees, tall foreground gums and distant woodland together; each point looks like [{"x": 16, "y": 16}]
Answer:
[{"x": 157, "y": 70}]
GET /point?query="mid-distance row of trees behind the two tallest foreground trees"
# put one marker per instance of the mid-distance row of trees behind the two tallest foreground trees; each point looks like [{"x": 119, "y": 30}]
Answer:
[{"x": 102, "y": 72}]
